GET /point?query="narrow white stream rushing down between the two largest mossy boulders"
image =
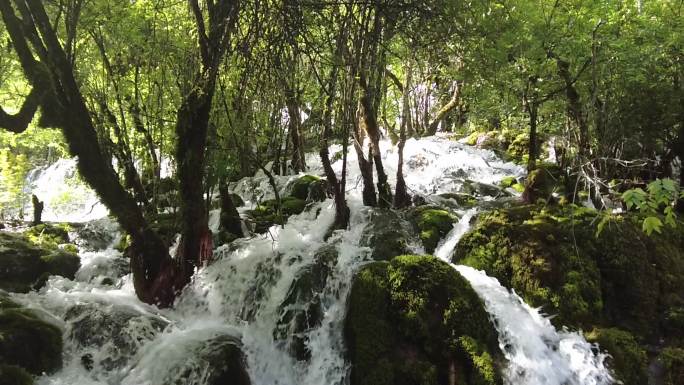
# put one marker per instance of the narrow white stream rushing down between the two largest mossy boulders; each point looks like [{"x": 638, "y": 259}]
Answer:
[{"x": 537, "y": 353}]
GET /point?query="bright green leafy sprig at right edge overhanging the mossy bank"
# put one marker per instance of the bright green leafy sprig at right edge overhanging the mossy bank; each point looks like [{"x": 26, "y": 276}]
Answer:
[{"x": 655, "y": 203}]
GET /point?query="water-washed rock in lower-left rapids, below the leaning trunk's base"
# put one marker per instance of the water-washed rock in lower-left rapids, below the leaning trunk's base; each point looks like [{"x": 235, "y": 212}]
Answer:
[{"x": 110, "y": 334}]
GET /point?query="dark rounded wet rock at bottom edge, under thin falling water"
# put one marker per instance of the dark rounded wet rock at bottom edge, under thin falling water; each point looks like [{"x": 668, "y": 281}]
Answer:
[{"x": 216, "y": 361}]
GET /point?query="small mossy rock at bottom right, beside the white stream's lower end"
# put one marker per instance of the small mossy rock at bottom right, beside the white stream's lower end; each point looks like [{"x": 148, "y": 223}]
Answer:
[{"x": 627, "y": 358}]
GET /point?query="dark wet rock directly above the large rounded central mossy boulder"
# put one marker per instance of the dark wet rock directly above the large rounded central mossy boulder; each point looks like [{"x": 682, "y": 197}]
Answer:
[{"x": 387, "y": 234}]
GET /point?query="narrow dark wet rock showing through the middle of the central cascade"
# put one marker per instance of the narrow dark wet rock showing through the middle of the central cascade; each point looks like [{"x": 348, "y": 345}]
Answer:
[{"x": 301, "y": 310}]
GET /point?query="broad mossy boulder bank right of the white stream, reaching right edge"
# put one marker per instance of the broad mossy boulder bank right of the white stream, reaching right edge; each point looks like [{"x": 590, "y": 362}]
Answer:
[{"x": 625, "y": 284}]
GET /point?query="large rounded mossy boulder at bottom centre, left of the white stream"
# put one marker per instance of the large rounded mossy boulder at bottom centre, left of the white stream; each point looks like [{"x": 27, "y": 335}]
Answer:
[{"x": 415, "y": 320}]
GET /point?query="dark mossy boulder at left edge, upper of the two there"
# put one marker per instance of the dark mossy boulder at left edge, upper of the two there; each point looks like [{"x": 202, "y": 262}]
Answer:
[{"x": 24, "y": 265}]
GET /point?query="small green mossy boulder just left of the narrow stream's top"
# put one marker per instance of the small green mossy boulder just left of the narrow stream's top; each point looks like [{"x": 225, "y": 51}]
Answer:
[{"x": 432, "y": 223}]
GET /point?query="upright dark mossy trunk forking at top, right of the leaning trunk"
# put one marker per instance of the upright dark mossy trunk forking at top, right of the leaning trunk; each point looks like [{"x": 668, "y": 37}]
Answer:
[{"x": 192, "y": 124}]
